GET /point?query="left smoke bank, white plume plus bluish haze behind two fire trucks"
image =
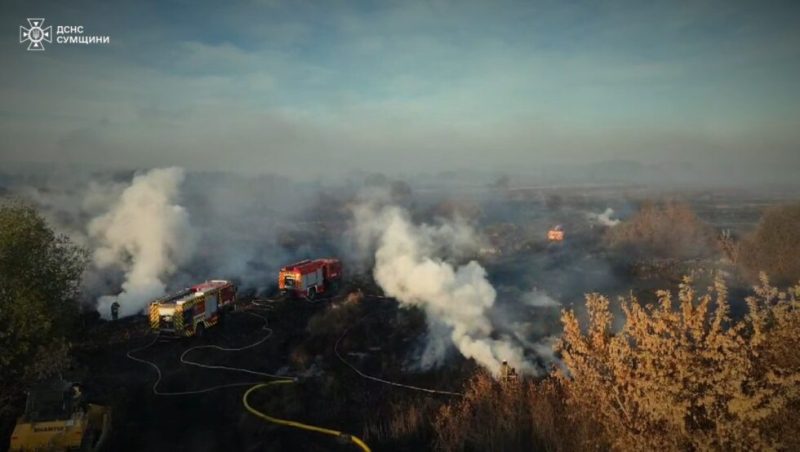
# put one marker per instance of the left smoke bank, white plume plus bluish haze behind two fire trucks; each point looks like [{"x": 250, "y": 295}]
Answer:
[{"x": 157, "y": 231}]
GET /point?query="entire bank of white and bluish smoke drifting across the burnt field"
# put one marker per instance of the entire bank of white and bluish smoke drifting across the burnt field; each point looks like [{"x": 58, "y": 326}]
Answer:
[{"x": 161, "y": 230}]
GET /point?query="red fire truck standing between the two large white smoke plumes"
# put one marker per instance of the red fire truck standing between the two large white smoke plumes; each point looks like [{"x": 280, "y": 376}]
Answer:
[{"x": 310, "y": 278}]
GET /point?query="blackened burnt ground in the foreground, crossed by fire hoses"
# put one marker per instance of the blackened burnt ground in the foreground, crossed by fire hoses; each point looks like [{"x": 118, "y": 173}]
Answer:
[{"x": 301, "y": 342}]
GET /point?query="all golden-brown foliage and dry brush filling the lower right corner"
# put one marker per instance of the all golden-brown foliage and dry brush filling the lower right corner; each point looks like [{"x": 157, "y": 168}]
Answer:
[{"x": 680, "y": 375}]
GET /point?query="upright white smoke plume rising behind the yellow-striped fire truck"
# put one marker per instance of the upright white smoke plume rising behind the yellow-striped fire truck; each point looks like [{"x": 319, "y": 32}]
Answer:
[{"x": 147, "y": 235}]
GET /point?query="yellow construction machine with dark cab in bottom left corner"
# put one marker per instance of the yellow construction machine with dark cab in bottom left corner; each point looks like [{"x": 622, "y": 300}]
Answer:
[{"x": 57, "y": 418}]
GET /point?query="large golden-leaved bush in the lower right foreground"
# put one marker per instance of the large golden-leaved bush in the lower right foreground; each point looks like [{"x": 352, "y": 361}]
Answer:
[{"x": 685, "y": 376}]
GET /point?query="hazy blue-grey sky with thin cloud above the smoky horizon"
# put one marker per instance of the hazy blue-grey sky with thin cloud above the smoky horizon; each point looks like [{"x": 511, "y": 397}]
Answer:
[{"x": 302, "y": 88}]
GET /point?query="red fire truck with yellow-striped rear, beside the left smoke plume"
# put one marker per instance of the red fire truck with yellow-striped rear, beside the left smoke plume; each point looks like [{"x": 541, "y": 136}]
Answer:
[{"x": 190, "y": 311}]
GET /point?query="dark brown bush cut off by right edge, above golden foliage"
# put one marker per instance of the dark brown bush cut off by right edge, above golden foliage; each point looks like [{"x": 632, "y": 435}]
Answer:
[{"x": 774, "y": 247}]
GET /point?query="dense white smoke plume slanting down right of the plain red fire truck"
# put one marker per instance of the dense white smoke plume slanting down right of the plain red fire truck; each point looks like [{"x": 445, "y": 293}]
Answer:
[{"x": 456, "y": 299}]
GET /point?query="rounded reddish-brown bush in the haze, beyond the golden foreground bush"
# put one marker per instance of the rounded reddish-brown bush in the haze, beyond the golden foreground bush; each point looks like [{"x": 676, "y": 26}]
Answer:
[{"x": 665, "y": 231}]
